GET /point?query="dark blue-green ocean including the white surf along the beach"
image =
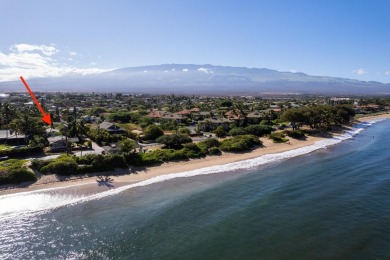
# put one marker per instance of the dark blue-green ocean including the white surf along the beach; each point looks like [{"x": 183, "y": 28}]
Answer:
[{"x": 327, "y": 201}]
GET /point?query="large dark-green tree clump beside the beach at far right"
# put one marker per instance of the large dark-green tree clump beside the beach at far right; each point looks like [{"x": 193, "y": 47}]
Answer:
[{"x": 321, "y": 116}]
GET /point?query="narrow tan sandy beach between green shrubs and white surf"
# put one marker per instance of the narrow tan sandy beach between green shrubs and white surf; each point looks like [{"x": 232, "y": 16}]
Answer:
[{"x": 92, "y": 184}]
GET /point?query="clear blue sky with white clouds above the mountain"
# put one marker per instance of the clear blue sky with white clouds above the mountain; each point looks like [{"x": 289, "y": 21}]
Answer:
[{"x": 329, "y": 37}]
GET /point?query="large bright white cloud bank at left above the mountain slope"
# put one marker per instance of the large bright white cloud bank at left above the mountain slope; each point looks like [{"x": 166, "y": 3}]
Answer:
[{"x": 36, "y": 61}]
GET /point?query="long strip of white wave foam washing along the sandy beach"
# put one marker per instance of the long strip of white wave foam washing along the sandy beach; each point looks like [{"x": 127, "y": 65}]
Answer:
[{"x": 23, "y": 203}]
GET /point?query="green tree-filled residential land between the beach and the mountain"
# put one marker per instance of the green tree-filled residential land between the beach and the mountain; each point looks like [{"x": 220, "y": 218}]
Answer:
[{"x": 176, "y": 127}]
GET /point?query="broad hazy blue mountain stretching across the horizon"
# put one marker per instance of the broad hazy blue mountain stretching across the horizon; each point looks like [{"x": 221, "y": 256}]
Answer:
[{"x": 202, "y": 79}]
